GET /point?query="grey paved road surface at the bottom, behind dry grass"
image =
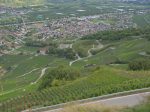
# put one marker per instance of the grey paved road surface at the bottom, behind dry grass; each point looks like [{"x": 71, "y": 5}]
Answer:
[{"x": 130, "y": 100}]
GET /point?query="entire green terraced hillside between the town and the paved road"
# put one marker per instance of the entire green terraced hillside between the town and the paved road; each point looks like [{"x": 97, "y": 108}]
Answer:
[{"x": 103, "y": 68}]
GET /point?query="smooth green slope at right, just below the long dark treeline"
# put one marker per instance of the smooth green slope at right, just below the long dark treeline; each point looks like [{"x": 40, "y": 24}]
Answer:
[{"x": 124, "y": 50}]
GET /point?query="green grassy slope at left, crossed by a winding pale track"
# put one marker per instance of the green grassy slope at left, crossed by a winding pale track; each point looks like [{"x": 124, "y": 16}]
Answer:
[{"x": 21, "y": 64}]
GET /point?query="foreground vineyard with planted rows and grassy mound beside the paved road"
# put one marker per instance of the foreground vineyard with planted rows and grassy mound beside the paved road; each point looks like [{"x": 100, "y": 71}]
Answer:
[{"x": 103, "y": 81}]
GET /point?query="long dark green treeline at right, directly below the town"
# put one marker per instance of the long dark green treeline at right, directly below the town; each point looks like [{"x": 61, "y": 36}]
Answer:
[{"x": 120, "y": 34}]
